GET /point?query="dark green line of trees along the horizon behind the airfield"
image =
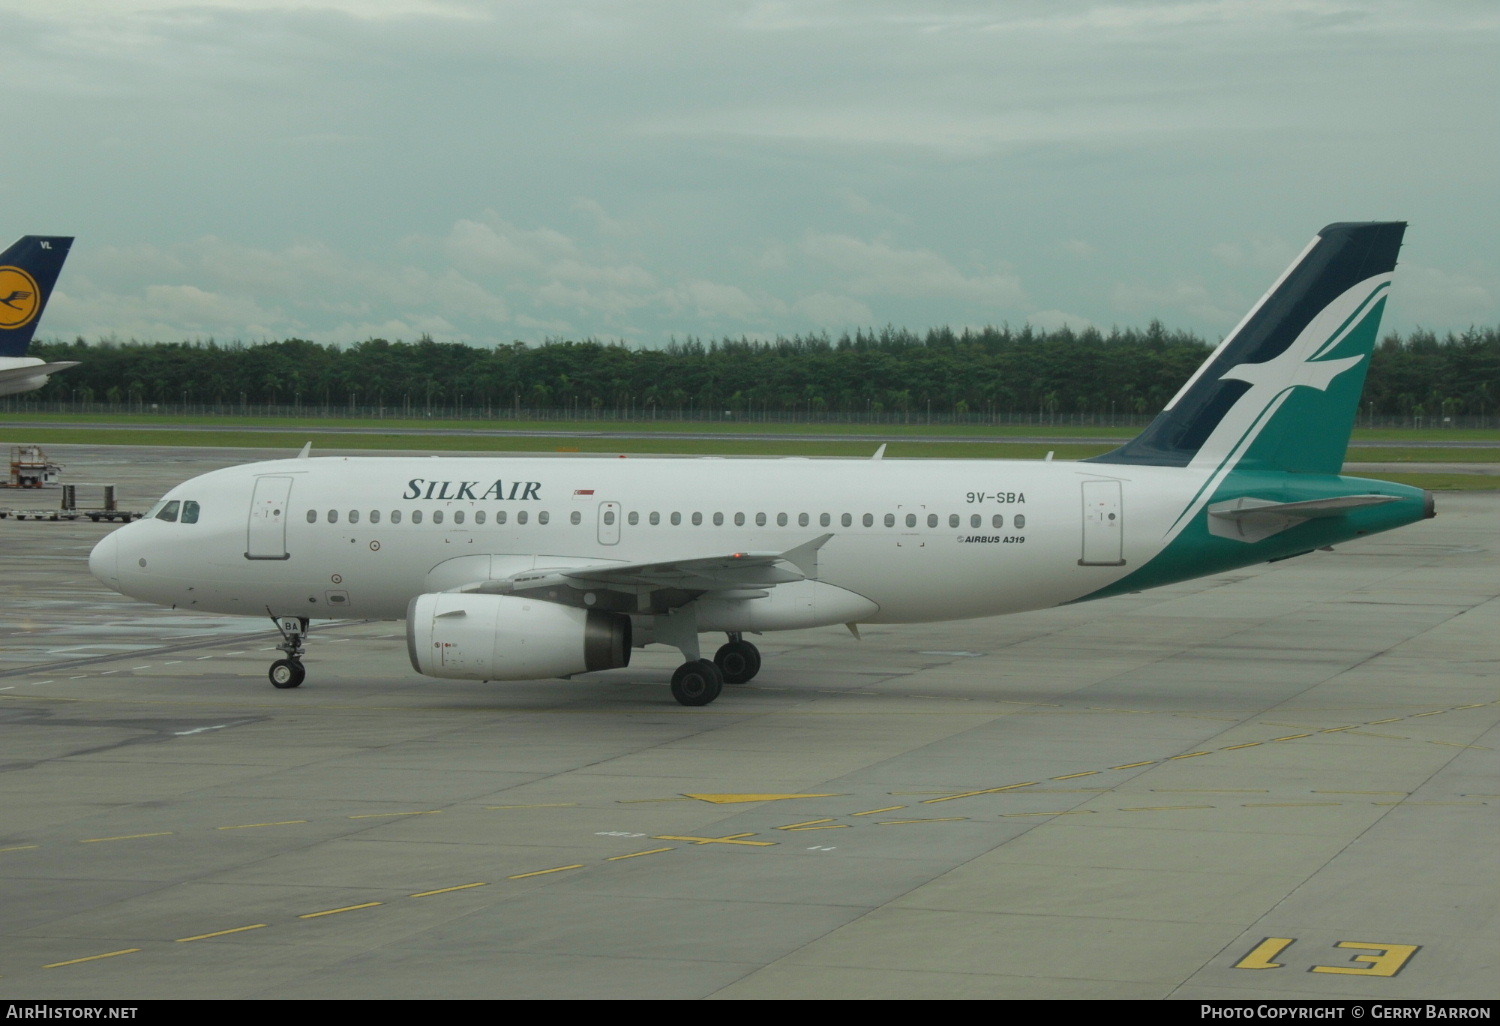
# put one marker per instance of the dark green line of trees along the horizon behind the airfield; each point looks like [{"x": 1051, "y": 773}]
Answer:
[{"x": 997, "y": 373}]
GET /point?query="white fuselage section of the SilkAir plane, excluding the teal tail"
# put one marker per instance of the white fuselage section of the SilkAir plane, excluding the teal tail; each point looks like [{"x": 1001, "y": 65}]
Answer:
[{"x": 913, "y": 541}]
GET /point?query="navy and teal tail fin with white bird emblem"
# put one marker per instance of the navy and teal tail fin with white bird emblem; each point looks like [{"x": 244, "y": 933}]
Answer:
[{"x": 1282, "y": 392}]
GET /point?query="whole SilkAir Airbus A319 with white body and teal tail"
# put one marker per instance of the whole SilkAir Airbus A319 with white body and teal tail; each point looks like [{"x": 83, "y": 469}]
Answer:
[{"x": 520, "y": 569}]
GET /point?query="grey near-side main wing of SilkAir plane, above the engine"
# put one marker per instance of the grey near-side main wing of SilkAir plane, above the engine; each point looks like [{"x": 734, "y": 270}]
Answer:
[{"x": 728, "y": 572}]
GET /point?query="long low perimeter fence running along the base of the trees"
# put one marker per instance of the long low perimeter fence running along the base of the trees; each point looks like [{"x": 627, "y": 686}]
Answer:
[{"x": 604, "y": 416}]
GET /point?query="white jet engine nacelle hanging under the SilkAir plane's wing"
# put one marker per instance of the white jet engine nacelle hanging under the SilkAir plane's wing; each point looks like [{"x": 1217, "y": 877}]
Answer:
[{"x": 511, "y": 638}]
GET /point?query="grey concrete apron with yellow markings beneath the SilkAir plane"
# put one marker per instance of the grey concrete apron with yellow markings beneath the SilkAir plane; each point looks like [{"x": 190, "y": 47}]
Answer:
[{"x": 1279, "y": 784}]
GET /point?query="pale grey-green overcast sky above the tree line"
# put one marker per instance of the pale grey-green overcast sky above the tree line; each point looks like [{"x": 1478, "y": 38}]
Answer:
[{"x": 638, "y": 170}]
